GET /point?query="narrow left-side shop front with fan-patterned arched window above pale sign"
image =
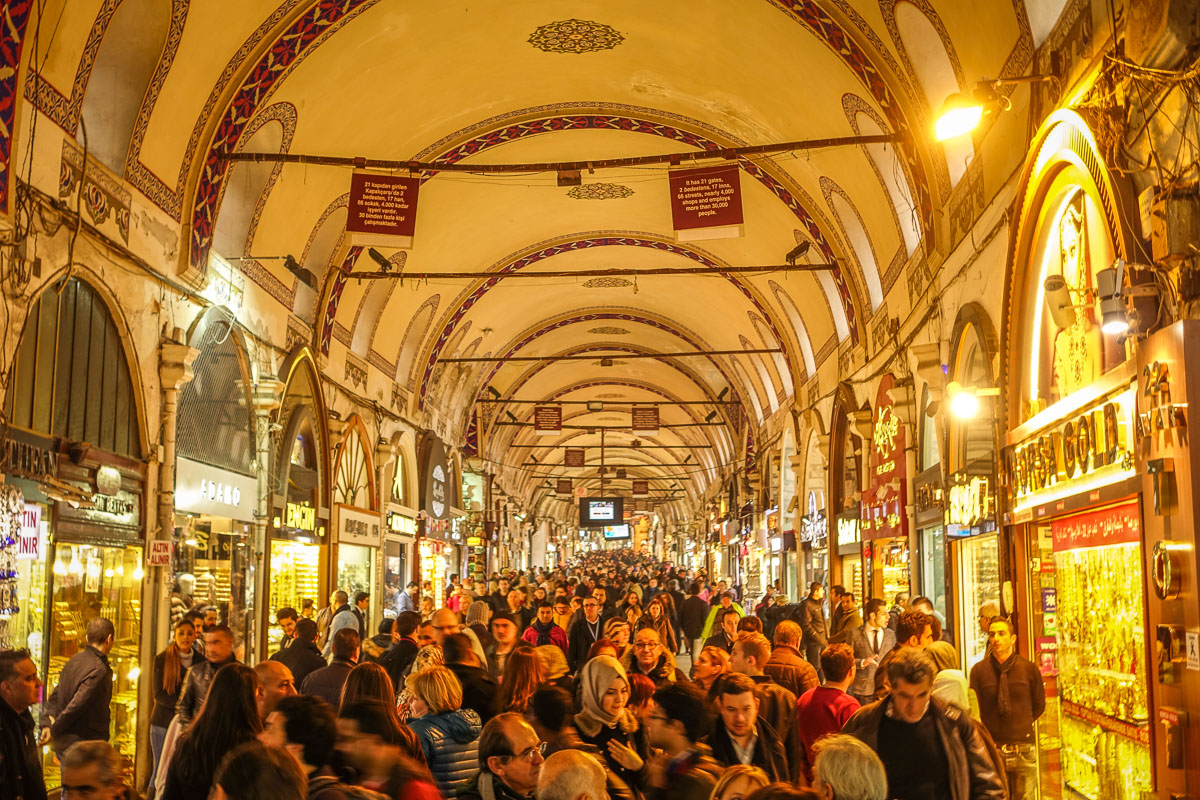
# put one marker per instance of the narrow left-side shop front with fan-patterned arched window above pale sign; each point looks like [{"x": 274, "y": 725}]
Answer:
[{"x": 357, "y": 519}]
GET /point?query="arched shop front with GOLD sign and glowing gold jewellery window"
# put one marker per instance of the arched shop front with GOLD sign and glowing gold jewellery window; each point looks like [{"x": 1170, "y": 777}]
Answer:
[{"x": 1076, "y": 498}]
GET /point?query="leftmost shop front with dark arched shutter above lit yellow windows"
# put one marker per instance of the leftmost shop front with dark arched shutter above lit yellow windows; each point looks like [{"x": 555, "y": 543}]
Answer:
[{"x": 74, "y": 449}]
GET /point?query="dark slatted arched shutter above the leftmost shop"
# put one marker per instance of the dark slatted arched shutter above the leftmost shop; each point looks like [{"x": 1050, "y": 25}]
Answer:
[{"x": 70, "y": 377}]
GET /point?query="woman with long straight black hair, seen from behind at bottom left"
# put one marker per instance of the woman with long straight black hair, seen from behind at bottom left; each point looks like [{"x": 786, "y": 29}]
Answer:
[{"x": 229, "y": 718}]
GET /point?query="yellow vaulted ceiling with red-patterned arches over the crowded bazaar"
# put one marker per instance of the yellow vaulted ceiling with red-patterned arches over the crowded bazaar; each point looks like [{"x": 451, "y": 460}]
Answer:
[{"x": 548, "y": 82}]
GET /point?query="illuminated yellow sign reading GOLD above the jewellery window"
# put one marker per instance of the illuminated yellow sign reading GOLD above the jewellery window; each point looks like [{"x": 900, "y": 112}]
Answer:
[{"x": 1089, "y": 449}]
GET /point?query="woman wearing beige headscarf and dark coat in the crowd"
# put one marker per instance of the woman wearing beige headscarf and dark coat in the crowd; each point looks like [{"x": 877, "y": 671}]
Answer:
[{"x": 608, "y": 724}]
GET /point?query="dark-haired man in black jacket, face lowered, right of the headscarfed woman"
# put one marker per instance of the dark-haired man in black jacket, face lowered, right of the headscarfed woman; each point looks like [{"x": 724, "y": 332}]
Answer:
[{"x": 741, "y": 737}]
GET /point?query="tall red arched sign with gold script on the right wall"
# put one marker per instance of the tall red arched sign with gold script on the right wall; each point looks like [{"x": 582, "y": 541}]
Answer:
[{"x": 884, "y": 514}]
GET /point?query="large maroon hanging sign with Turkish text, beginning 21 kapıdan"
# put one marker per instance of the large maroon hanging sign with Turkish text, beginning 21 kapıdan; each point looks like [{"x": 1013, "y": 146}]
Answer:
[{"x": 382, "y": 209}]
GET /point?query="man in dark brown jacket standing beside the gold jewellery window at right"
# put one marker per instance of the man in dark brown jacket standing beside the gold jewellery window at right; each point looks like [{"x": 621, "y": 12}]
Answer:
[{"x": 1012, "y": 697}]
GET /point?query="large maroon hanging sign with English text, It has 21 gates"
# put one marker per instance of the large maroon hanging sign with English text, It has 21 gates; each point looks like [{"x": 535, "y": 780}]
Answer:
[{"x": 706, "y": 203}]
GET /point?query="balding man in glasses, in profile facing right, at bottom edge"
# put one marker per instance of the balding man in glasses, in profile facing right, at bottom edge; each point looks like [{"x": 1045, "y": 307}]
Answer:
[{"x": 511, "y": 759}]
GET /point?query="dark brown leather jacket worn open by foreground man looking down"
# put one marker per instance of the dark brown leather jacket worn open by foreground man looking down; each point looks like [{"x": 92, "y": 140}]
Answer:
[{"x": 973, "y": 773}]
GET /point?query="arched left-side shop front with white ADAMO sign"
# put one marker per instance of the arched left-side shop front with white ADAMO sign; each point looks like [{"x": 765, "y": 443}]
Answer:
[{"x": 217, "y": 491}]
